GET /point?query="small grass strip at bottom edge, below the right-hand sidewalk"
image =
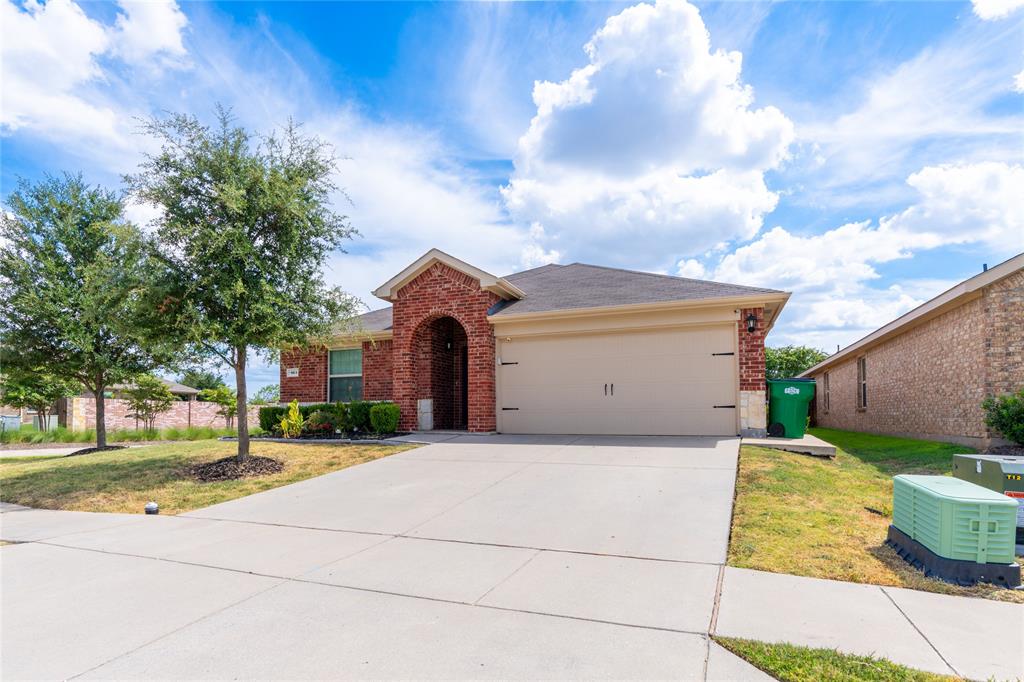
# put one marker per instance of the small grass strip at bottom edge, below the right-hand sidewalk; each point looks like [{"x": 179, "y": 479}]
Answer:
[{"x": 800, "y": 664}]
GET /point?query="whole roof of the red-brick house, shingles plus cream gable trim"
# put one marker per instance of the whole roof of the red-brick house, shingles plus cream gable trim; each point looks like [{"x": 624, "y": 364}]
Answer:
[{"x": 577, "y": 287}]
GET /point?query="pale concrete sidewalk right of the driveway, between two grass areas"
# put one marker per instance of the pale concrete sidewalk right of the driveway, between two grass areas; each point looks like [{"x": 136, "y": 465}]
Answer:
[{"x": 978, "y": 640}]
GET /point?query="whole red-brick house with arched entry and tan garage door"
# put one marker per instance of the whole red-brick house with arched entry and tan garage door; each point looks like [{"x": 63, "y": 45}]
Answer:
[{"x": 556, "y": 350}]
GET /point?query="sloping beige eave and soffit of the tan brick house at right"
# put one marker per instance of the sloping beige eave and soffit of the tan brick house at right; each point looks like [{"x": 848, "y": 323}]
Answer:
[{"x": 962, "y": 293}]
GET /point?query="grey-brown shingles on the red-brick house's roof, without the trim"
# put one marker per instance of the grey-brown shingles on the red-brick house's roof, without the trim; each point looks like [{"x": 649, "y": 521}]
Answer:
[{"x": 551, "y": 288}]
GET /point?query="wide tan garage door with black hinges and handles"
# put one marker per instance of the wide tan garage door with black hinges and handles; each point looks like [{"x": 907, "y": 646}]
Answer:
[{"x": 668, "y": 382}]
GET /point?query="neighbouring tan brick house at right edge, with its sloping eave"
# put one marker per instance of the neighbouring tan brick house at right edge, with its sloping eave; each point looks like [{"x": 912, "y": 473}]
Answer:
[{"x": 925, "y": 374}]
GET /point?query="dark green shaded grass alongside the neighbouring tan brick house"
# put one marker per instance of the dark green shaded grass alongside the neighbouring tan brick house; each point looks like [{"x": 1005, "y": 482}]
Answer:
[{"x": 891, "y": 455}]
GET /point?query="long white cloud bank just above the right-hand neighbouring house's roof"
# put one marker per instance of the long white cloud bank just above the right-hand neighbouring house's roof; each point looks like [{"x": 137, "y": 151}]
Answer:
[{"x": 968, "y": 204}]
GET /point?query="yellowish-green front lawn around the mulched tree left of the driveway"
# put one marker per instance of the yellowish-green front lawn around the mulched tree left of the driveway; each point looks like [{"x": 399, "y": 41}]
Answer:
[{"x": 124, "y": 481}]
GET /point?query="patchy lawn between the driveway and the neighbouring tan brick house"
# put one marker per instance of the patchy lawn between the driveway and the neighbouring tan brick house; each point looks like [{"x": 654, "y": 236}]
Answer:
[{"x": 828, "y": 519}]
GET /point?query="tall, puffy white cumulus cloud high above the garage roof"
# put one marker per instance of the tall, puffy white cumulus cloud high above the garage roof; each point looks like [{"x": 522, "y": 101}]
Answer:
[{"x": 655, "y": 141}]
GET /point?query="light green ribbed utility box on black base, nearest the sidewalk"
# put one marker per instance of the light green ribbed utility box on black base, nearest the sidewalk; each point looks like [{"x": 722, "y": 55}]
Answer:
[{"x": 955, "y": 530}]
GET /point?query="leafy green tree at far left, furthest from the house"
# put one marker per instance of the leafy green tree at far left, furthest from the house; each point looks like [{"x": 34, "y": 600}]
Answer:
[{"x": 73, "y": 274}]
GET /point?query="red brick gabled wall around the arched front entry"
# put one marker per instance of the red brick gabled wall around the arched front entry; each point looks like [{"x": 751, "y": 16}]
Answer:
[{"x": 444, "y": 292}]
